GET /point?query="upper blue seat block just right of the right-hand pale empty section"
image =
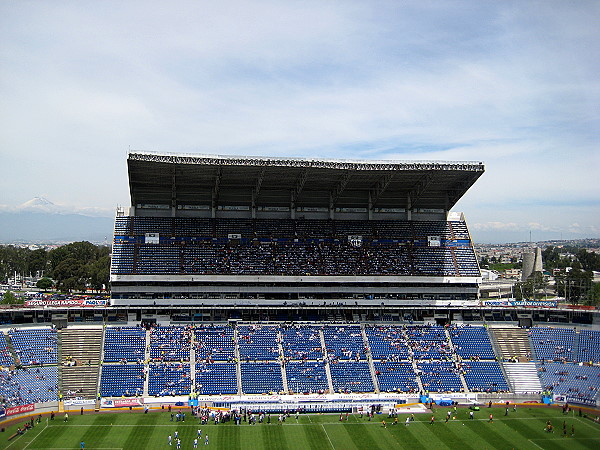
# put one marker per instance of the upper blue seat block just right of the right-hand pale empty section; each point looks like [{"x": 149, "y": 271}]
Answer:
[{"x": 553, "y": 344}]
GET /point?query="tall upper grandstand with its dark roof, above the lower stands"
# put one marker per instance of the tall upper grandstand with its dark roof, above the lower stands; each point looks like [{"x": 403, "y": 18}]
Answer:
[{"x": 283, "y": 232}]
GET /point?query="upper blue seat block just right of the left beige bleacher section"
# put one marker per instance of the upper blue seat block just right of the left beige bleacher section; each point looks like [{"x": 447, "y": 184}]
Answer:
[{"x": 124, "y": 343}]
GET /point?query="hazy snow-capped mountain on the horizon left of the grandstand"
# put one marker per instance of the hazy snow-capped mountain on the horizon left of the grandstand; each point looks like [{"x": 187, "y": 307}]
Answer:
[{"x": 40, "y": 224}]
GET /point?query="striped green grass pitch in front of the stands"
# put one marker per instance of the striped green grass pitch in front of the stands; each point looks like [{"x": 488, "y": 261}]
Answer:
[{"x": 112, "y": 431}]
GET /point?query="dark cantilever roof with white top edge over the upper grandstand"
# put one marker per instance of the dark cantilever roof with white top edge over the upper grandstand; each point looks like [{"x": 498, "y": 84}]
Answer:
[{"x": 184, "y": 179}]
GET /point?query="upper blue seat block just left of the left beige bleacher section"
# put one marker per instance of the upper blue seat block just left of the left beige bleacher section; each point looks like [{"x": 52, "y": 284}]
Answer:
[{"x": 35, "y": 346}]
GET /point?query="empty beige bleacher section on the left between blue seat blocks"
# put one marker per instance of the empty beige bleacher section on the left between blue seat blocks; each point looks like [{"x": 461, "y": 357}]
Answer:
[{"x": 84, "y": 346}]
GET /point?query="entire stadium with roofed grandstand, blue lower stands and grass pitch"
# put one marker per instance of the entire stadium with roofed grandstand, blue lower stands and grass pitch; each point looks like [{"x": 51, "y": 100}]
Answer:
[{"x": 346, "y": 291}]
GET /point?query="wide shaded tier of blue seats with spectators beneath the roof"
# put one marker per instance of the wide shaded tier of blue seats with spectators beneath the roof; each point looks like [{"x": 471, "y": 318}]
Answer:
[{"x": 291, "y": 247}]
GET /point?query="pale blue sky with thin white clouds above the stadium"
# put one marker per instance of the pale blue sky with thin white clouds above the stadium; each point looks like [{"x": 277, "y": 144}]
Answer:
[{"x": 511, "y": 83}]
